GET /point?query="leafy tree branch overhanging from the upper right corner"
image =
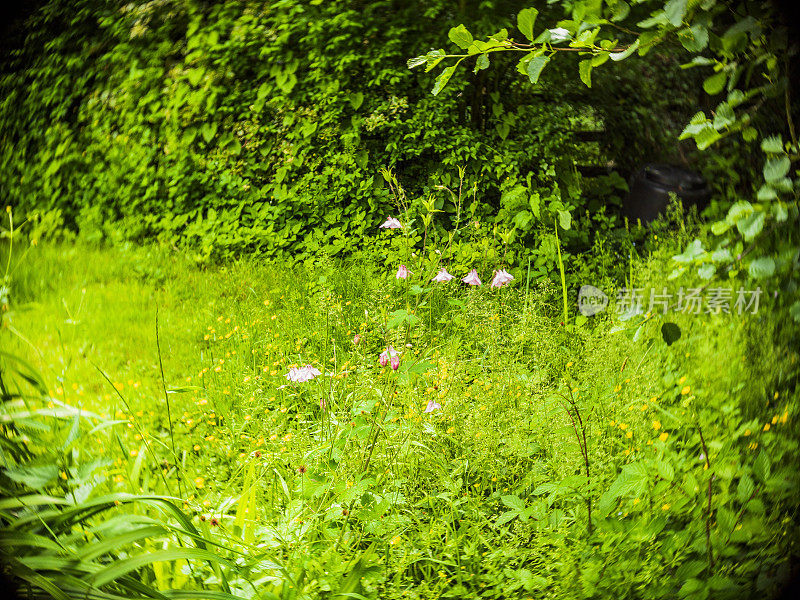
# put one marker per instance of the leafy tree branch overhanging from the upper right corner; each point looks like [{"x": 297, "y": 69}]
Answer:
[{"x": 746, "y": 51}]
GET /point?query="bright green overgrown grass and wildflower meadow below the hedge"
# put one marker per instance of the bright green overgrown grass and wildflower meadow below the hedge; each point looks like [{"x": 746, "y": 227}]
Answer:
[{"x": 689, "y": 447}]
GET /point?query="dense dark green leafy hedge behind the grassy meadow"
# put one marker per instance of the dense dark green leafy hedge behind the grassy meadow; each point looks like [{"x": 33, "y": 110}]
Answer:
[{"x": 236, "y": 125}]
